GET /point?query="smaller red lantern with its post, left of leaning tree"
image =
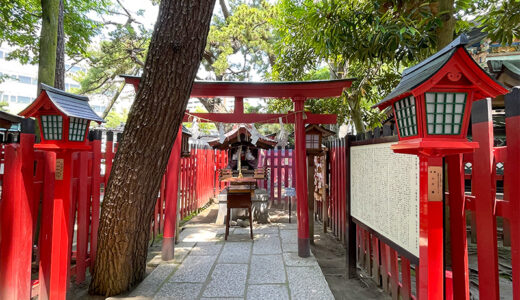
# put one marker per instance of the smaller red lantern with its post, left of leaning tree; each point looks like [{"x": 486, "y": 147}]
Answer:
[{"x": 63, "y": 119}]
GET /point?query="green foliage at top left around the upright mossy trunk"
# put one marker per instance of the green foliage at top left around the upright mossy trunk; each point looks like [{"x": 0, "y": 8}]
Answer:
[{"x": 20, "y": 24}]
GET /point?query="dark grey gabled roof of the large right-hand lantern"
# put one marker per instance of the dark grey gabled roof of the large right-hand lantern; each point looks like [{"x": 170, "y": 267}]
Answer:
[{"x": 421, "y": 75}]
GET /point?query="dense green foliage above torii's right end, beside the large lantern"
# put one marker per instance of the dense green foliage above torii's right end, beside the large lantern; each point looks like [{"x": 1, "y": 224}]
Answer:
[{"x": 367, "y": 40}]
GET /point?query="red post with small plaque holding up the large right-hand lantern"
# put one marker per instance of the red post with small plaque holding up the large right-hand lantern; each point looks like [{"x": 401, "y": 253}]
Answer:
[{"x": 431, "y": 250}]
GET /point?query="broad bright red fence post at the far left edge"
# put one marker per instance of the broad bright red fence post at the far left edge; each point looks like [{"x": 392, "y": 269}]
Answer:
[{"x": 16, "y": 222}]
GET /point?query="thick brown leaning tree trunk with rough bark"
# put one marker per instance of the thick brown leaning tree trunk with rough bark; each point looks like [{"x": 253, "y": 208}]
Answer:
[{"x": 173, "y": 58}]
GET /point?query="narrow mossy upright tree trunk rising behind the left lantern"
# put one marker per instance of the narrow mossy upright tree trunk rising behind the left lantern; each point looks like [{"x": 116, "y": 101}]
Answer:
[{"x": 48, "y": 42}]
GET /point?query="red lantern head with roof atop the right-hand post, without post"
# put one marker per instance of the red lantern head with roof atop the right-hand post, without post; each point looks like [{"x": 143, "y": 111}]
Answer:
[{"x": 451, "y": 71}]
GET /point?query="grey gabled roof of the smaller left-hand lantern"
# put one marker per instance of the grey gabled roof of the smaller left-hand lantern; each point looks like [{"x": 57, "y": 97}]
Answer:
[{"x": 71, "y": 105}]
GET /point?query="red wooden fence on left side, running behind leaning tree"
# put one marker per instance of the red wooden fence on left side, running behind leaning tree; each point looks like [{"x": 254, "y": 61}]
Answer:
[{"x": 28, "y": 205}]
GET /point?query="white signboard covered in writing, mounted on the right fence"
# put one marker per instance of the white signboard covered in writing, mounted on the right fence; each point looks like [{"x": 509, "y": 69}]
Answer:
[{"x": 385, "y": 193}]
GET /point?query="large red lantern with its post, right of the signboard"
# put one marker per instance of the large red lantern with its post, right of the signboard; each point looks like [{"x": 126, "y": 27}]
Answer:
[{"x": 432, "y": 106}]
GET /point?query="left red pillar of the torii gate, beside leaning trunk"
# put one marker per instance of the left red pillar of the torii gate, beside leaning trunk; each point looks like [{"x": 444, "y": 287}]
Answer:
[{"x": 172, "y": 188}]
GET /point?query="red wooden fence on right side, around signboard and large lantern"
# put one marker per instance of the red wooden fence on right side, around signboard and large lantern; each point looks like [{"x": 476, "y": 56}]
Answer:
[{"x": 394, "y": 272}]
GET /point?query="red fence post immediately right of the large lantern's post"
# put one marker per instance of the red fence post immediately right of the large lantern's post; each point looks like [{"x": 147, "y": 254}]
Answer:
[{"x": 459, "y": 247}]
